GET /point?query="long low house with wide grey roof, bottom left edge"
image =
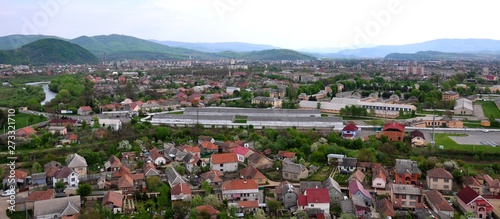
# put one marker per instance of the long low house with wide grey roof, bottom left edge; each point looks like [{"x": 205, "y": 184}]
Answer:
[{"x": 67, "y": 208}]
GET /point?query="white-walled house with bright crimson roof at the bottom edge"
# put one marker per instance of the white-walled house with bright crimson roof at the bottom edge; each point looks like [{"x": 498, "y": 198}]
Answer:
[{"x": 314, "y": 198}]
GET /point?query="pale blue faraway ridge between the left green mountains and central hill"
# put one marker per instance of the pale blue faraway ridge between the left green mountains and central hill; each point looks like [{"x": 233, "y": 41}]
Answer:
[{"x": 218, "y": 47}]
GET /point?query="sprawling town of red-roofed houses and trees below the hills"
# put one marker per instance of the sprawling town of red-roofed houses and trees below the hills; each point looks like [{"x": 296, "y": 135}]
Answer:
[{"x": 354, "y": 138}]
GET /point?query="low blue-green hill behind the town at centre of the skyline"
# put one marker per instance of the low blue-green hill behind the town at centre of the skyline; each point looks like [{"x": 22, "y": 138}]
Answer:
[{"x": 276, "y": 54}]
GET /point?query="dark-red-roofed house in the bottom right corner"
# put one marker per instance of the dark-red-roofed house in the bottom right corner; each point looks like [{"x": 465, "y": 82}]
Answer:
[{"x": 470, "y": 200}]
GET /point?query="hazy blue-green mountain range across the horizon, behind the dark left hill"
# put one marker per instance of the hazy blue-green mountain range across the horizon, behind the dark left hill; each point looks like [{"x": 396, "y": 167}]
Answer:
[{"x": 113, "y": 47}]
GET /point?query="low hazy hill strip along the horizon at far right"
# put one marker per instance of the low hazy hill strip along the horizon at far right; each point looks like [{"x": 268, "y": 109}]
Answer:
[{"x": 434, "y": 55}]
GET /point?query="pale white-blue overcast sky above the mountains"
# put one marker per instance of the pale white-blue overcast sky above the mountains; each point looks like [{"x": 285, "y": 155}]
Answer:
[{"x": 291, "y": 24}]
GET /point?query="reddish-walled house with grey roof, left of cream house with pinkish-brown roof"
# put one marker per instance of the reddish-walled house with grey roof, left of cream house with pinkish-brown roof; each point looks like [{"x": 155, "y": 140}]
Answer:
[{"x": 406, "y": 172}]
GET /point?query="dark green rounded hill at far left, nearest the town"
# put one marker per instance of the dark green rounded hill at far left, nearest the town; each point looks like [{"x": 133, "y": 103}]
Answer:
[{"x": 48, "y": 51}]
